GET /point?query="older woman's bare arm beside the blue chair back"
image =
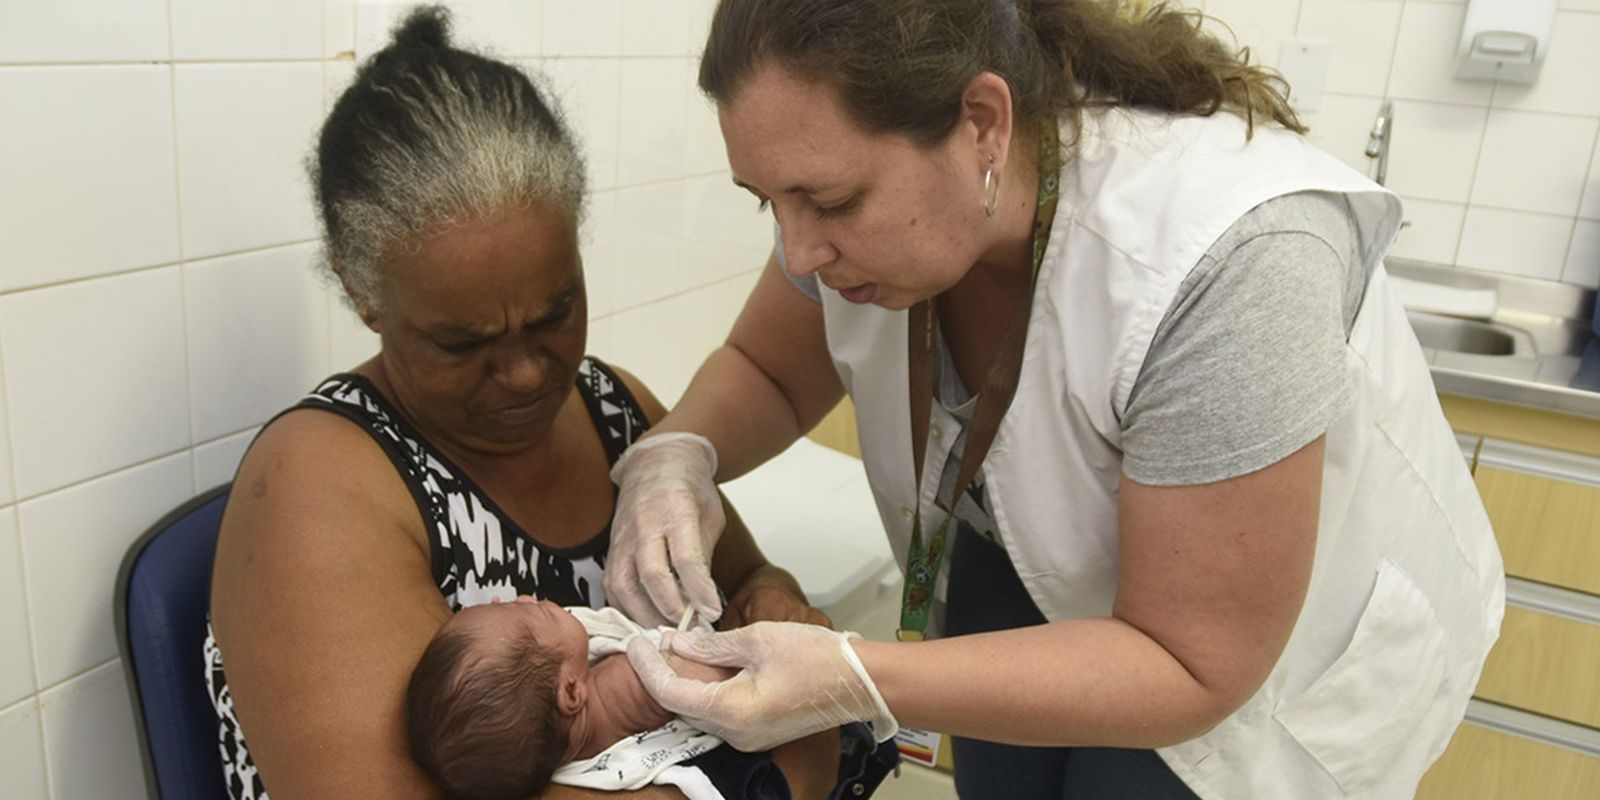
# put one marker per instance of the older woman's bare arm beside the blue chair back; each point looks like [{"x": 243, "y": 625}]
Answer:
[{"x": 322, "y": 602}]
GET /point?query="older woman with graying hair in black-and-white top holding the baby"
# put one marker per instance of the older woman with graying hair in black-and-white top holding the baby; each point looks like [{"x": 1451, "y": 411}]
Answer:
[{"x": 468, "y": 462}]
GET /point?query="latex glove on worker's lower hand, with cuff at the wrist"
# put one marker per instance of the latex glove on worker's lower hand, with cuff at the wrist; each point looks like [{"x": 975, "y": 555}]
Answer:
[{"x": 796, "y": 681}]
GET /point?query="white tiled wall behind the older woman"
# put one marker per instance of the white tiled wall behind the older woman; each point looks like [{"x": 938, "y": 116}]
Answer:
[{"x": 158, "y": 302}]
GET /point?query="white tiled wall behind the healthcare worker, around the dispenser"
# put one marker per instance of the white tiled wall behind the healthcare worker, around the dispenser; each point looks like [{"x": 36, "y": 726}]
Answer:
[{"x": 1497, "y": 177}]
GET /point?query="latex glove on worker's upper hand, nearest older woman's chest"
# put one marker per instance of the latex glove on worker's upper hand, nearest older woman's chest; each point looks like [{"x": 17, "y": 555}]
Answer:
[{"x": 668, "y": 521}]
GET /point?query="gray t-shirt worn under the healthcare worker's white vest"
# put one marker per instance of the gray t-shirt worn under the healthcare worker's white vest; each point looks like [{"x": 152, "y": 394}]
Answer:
[{"x": 1247, "y": 366}]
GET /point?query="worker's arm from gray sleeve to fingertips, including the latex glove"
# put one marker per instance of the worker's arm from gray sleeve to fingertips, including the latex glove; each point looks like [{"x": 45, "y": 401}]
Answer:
[{"x": 1210, "y": 583}]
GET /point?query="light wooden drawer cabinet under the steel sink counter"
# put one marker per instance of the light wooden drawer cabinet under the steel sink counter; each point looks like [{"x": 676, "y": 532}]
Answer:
[{"x": 1534, "y": 729}]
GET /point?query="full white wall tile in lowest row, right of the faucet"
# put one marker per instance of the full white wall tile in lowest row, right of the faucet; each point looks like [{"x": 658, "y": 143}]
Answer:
[{"x": 1516, "y": 242}]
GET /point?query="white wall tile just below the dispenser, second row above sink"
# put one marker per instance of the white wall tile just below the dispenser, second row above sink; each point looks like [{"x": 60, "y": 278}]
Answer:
[{"x": 1532, "y": 162}]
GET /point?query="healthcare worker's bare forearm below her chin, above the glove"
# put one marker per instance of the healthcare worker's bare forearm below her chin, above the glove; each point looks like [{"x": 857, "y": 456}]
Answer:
[{"x": 767, "y": 386}]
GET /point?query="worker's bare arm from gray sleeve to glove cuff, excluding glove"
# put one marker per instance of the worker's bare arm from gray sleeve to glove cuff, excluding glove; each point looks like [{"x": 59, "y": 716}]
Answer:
[{"x": 1210, "y": 583}]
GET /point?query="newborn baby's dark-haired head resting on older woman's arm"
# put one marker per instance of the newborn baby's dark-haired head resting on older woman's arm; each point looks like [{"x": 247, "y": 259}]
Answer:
[{"x": 494, "y": 698}]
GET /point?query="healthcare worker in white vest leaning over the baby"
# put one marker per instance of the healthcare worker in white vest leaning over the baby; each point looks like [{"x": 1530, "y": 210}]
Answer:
[{"x": 1090, "y": 290}]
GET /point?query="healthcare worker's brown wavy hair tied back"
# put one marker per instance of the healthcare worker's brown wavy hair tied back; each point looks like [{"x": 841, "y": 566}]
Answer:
[{"x": 902, "y": 66}]
